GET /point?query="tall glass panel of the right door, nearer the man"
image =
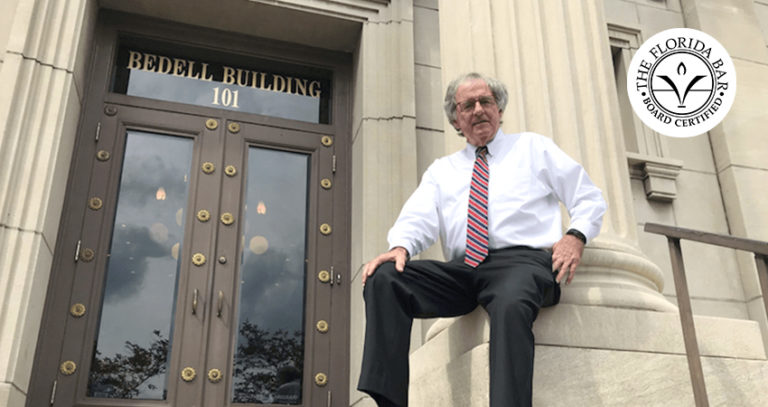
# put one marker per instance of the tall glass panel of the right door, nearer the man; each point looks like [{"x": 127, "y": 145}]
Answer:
[{"x": 268, "y": 361}]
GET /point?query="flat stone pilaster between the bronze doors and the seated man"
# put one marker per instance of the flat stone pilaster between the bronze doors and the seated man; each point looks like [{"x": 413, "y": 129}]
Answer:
[{"x": 384, "y": 150}]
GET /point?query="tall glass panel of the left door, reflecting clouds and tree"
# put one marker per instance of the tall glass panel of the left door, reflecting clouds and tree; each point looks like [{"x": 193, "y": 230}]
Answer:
[{"x": 132, "y": 348}]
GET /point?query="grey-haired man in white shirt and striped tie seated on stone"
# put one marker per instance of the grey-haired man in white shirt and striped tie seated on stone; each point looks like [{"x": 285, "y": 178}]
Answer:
[{"x": 494, "y": 206}]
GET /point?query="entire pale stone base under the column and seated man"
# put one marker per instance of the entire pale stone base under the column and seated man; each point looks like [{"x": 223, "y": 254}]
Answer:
[{"x": 594, "y": 356}]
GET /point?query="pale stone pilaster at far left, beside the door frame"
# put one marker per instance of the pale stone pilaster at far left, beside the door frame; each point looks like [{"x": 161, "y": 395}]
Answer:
[{"x": 41, "y": 83}]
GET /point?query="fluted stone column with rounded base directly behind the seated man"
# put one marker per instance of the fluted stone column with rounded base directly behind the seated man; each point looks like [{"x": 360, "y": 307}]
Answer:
[{"x": 554, "y": 57}]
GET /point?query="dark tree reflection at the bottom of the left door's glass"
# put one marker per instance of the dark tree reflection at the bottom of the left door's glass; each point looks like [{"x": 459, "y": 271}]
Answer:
[{"x": 123, "y": 376}]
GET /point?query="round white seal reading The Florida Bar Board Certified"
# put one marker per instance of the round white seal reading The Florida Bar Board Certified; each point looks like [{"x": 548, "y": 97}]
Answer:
[{"x": 681, "y": 82}]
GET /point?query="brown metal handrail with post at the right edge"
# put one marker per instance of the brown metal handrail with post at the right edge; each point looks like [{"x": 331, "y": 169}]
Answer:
[{"x": 674, "y": 234}]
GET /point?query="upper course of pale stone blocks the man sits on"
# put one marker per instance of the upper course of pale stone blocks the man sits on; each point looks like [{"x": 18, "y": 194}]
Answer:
[{"x": 594, "y": 327}]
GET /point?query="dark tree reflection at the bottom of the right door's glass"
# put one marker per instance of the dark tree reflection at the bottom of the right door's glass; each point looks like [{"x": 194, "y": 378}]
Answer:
[{"x": 268, "y": 365}]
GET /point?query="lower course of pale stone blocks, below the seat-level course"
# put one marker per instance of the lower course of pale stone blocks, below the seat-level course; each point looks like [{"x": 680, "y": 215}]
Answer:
[{"x": 593, "y": 377}]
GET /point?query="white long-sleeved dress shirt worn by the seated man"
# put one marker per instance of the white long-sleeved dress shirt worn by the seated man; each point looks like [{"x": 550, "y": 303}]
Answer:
[{"x": 529, "y": 175}]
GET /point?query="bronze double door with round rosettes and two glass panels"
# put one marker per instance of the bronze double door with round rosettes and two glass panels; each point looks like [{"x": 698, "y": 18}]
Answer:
[{"x": 204, "y": 268}]
